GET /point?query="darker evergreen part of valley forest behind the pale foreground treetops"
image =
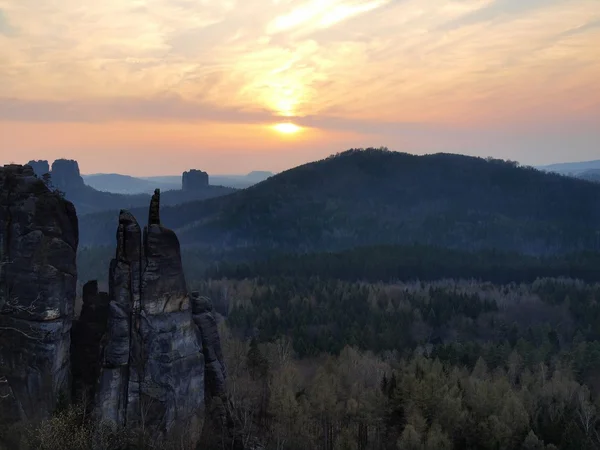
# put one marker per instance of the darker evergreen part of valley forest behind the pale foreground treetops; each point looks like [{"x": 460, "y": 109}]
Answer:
[{"x": 457, "y": 322}]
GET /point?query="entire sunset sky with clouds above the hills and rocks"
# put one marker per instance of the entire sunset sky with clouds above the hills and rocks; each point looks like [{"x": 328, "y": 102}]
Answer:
[{"x": 150, "y": 87}]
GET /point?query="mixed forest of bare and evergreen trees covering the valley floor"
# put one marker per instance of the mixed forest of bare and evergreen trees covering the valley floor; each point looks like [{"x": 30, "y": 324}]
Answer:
[{"x": 440, "y": 365}]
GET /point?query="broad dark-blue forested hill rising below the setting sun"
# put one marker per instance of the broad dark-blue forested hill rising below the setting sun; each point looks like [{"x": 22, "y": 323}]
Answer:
[{"x": 375, "y": 196}]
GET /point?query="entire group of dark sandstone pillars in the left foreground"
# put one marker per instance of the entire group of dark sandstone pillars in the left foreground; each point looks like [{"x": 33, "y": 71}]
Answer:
[{"x": 147, "y": 353}]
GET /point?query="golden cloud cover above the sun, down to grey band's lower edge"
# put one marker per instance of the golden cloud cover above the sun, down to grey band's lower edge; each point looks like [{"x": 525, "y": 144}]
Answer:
[{"x": 329, "y": 63}]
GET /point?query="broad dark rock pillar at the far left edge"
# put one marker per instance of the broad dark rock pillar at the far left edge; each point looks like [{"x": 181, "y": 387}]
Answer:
[{"x": 38, "y": 246}]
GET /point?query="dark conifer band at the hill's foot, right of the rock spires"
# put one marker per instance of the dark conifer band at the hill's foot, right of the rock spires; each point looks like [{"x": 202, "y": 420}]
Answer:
[{"x": 416, "y": 262}]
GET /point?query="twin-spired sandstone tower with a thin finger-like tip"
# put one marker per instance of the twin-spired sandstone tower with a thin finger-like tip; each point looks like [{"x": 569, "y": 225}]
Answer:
[{"x": 153, "y": 361}]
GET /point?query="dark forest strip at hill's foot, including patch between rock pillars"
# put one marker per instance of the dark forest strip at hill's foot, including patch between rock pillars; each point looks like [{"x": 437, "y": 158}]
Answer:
[{"x": 375, "y": 263}]
